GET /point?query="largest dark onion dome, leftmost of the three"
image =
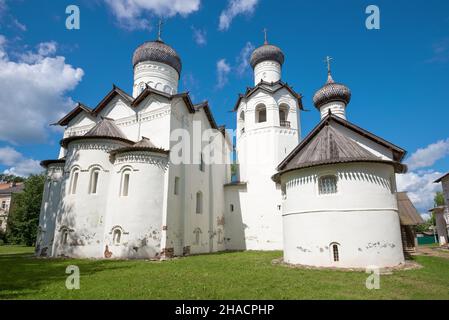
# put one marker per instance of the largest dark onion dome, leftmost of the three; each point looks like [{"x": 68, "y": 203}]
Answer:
[{"x": 157, "y": 51}]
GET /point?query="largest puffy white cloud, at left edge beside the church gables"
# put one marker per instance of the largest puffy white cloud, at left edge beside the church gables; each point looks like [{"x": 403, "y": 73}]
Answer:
[{"x": 33, "y": 92}]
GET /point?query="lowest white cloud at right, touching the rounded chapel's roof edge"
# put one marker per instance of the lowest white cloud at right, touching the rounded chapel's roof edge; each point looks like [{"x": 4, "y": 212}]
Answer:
[{"x": 420, "y": 187}]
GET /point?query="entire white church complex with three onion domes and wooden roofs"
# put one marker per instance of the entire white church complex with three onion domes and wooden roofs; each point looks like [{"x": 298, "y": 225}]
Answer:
[{"x": 148, "y": 175}]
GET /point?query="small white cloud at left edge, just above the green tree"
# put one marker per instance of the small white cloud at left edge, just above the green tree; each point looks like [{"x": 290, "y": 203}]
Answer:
[{"x": 17, "y": 163}]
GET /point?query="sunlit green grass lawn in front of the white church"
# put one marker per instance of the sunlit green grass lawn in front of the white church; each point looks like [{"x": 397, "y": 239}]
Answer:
[{"x": 240, "y": 275}]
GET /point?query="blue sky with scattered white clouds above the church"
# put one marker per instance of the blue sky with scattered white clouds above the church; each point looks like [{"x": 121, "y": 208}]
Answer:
[{"x": 398, "y": 74}]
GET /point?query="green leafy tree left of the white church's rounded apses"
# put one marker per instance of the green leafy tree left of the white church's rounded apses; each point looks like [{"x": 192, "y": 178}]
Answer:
[{"x": 24, "y": 212}]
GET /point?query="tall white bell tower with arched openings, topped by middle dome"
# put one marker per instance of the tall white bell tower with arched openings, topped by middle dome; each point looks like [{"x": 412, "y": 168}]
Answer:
[{"x": 268, "y": 129}]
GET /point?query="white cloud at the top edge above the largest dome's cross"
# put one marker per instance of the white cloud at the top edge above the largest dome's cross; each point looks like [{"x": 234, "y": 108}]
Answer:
[{"x": 132, "y": 14}]
